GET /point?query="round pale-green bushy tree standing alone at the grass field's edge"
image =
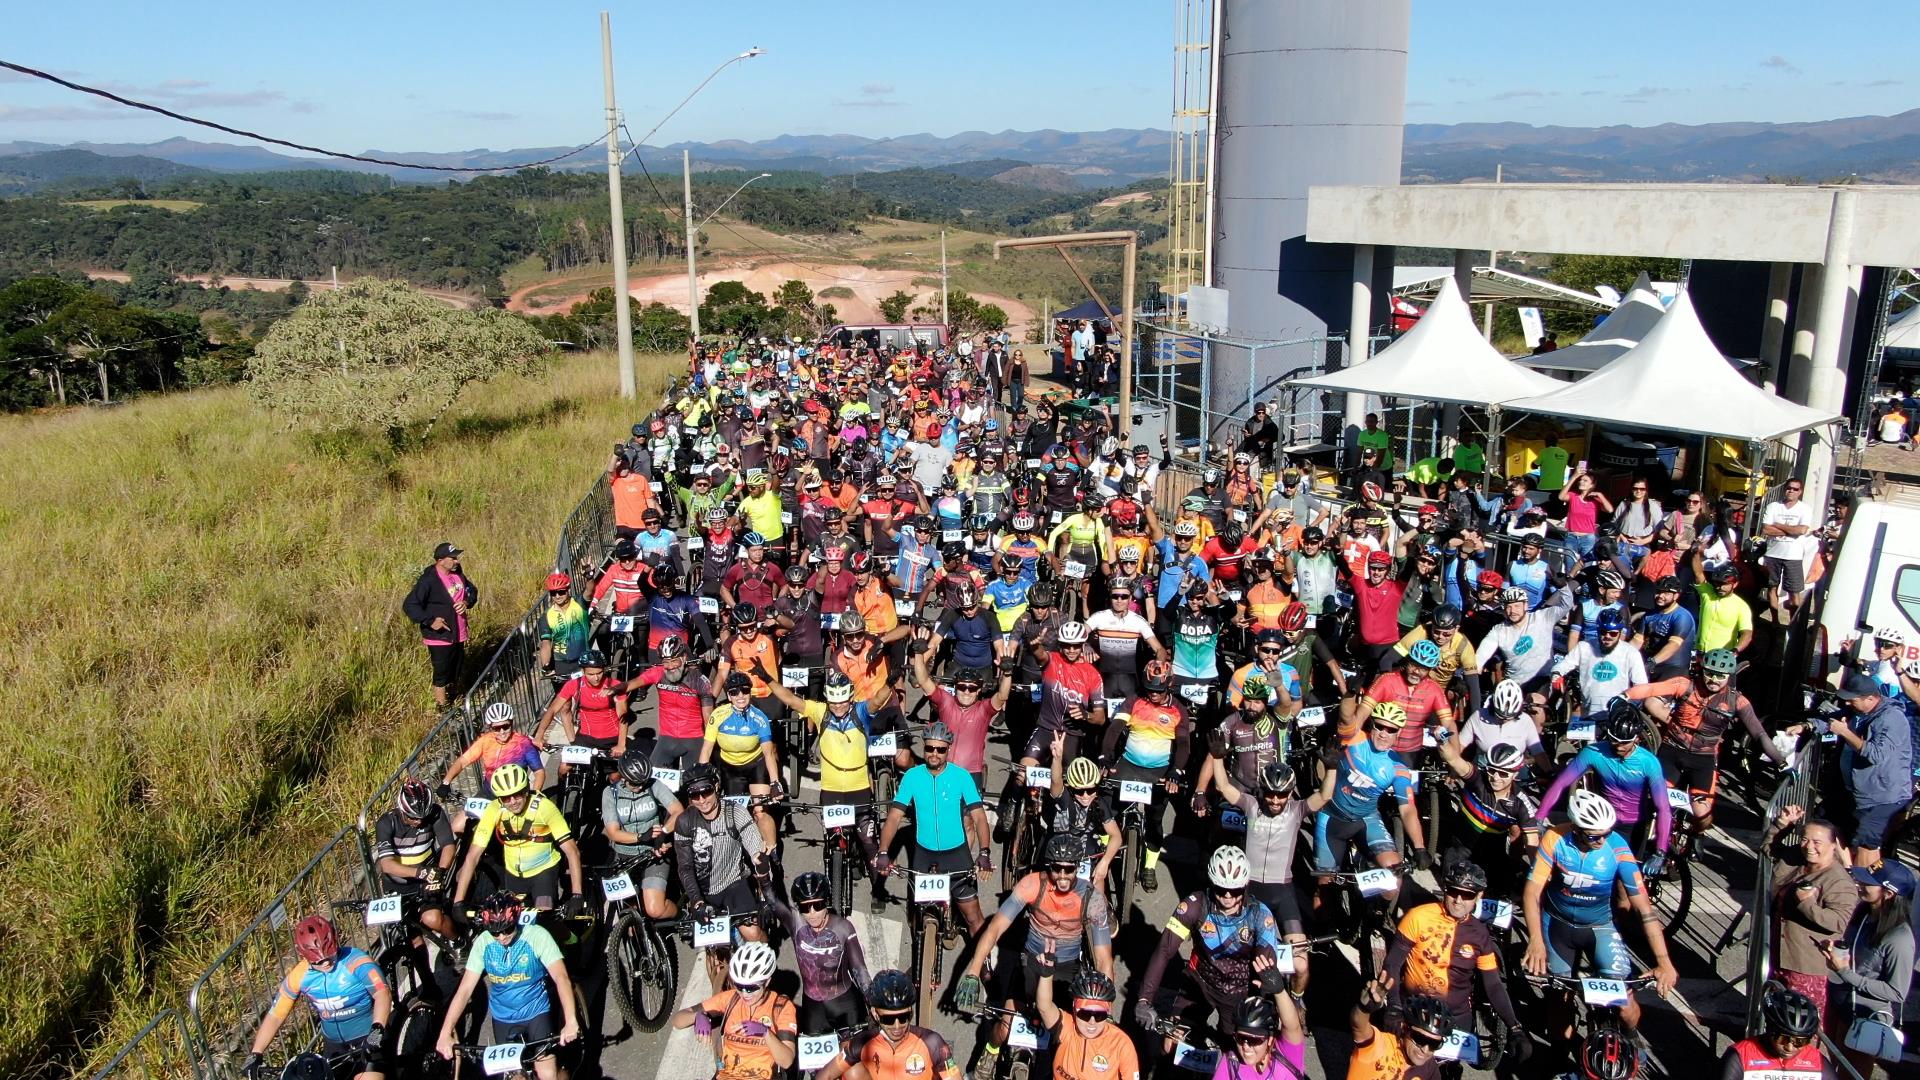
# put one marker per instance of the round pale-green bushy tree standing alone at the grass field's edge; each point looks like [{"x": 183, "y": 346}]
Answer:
[{"x": 385, "y": 356}]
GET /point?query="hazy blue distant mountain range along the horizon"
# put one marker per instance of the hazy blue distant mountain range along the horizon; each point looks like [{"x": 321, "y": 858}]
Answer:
[{"x": 1875, "y": 147}]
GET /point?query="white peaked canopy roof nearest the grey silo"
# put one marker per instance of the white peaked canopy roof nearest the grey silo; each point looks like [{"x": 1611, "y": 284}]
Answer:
[{"x": 1443, "y": 358}]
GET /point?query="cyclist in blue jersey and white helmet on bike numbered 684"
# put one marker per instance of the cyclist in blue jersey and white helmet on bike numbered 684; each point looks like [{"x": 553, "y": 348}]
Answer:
[{"x": 1570, "y": 904}]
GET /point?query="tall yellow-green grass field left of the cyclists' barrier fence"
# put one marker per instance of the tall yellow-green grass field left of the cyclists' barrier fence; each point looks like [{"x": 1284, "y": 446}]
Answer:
[{"x": 208, "y": 670}]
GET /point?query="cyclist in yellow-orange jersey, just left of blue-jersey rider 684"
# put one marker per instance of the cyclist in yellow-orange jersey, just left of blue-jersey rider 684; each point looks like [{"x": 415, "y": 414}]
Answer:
[{"x": 1443, "y": 948}]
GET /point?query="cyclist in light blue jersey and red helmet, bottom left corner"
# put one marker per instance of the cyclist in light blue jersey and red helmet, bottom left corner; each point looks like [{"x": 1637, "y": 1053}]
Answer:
[{"x": 348, "y": 993}]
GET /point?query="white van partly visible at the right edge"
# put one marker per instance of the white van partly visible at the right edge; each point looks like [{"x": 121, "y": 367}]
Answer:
[{"x": 1873, "y": 583}]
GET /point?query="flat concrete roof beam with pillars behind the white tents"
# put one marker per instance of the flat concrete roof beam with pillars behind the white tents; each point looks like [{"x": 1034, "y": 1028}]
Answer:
[{"x": 1831, "y": 232}]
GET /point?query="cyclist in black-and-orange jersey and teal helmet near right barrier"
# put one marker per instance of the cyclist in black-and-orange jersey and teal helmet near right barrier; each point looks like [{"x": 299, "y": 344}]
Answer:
[{"x": 1694, "y": 714}]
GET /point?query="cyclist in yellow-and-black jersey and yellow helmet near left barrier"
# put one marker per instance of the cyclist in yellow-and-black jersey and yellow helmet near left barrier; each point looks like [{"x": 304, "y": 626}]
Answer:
[{"x": 533, "y": 843}]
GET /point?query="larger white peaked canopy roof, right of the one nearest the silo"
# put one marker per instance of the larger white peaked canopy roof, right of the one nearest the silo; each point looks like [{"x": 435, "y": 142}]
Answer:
[{"x": 1675, "y": 380}]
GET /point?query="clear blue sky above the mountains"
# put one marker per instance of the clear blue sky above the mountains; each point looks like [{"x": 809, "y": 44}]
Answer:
[{"x": 427, "y": 76}]
